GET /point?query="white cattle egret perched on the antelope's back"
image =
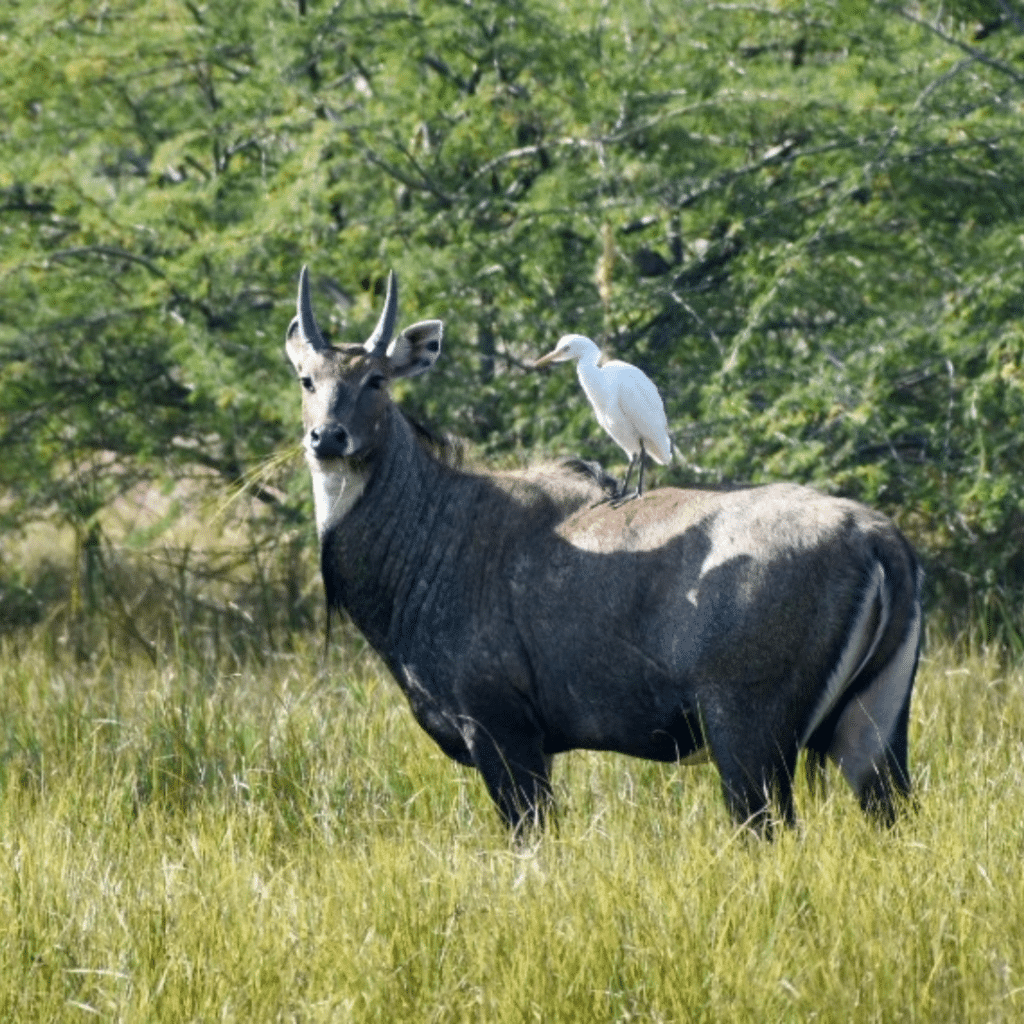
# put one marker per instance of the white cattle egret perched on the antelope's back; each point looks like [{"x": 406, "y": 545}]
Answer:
[{"x": 625, "y": 402}]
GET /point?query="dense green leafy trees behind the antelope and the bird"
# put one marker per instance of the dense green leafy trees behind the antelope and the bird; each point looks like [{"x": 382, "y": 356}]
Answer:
[{"x": 804, "y": 219}]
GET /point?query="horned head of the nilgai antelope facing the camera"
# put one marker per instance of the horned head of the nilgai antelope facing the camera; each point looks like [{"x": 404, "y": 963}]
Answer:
[{"x": 346, "y": 390}]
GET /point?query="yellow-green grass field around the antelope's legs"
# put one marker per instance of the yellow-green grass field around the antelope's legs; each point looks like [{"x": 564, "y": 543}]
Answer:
[{"x": 279, "y": 842}]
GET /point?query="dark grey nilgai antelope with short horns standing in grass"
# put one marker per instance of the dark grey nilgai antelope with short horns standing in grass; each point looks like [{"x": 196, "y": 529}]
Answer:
[{"x": 524, "y": 617}]
